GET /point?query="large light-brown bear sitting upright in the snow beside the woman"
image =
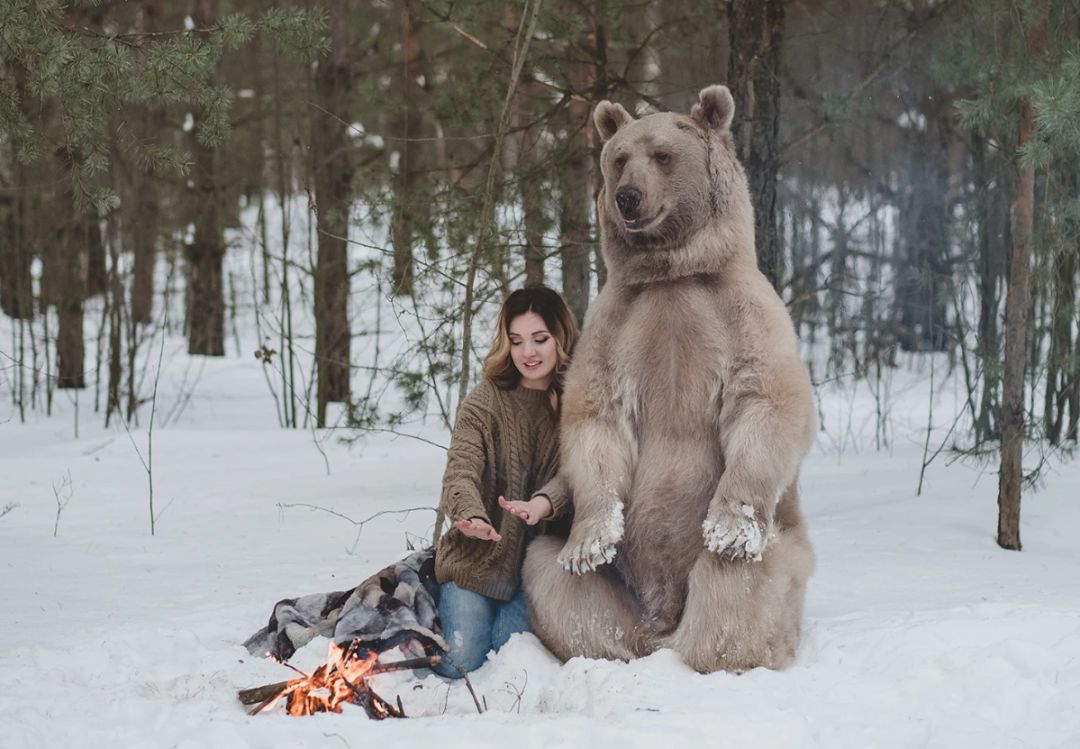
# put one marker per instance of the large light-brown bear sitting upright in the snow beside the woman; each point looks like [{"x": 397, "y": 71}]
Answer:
[{"x": 686, "y": 416}]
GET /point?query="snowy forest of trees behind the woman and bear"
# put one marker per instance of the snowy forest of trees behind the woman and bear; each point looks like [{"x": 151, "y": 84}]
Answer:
[{"x": 401, "y": 166}]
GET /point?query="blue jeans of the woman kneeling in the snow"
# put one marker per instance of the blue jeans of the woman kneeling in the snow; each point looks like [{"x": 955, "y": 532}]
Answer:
[{"x": 475, "y": 624}]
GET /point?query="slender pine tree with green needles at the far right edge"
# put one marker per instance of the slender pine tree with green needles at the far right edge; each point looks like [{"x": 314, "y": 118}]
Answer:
[{"x": 1027, "y": 97}]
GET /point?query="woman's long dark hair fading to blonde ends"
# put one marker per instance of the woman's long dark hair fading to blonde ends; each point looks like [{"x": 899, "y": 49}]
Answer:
[{"x": 499, "y": 367}]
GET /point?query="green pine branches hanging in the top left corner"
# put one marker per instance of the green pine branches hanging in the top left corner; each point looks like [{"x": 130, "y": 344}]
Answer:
[{"x": 77, "y": 74}]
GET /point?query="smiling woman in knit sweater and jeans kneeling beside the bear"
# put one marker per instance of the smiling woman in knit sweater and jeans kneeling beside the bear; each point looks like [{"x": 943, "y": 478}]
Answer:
[{"x": 505, "y": 445}]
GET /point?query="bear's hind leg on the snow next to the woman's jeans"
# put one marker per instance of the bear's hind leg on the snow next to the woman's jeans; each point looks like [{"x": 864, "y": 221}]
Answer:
[{"x": 592, "y": 615}]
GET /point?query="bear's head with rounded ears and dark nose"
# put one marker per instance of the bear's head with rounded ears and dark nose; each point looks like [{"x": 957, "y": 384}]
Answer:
[{"x": 667, "y": 179}]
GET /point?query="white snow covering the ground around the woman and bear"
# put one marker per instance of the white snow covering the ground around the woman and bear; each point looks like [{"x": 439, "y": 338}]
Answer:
[{"x": 920, "y": 632}]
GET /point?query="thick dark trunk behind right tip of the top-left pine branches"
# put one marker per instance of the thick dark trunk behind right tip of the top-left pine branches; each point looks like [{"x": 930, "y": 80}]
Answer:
[{"x": 206, "y": 255}]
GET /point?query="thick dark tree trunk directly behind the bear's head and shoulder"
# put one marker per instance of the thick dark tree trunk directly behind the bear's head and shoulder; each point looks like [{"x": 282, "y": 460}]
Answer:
[{"x": 757, "y": 33}]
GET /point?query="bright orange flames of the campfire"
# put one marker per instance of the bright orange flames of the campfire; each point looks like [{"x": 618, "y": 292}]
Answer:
[{"x": 342, "y": 679}]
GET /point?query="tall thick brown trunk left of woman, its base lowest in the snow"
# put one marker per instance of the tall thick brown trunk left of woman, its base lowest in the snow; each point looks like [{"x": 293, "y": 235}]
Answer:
[{"x": 333, "y": 176}]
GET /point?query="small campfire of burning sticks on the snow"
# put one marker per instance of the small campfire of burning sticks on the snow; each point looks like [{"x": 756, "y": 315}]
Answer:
[{"x": 342, "y": 679}]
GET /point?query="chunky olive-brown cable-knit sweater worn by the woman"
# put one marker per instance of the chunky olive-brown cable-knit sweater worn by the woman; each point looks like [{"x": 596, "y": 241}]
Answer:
[{"x": 505, "y": 443}]
